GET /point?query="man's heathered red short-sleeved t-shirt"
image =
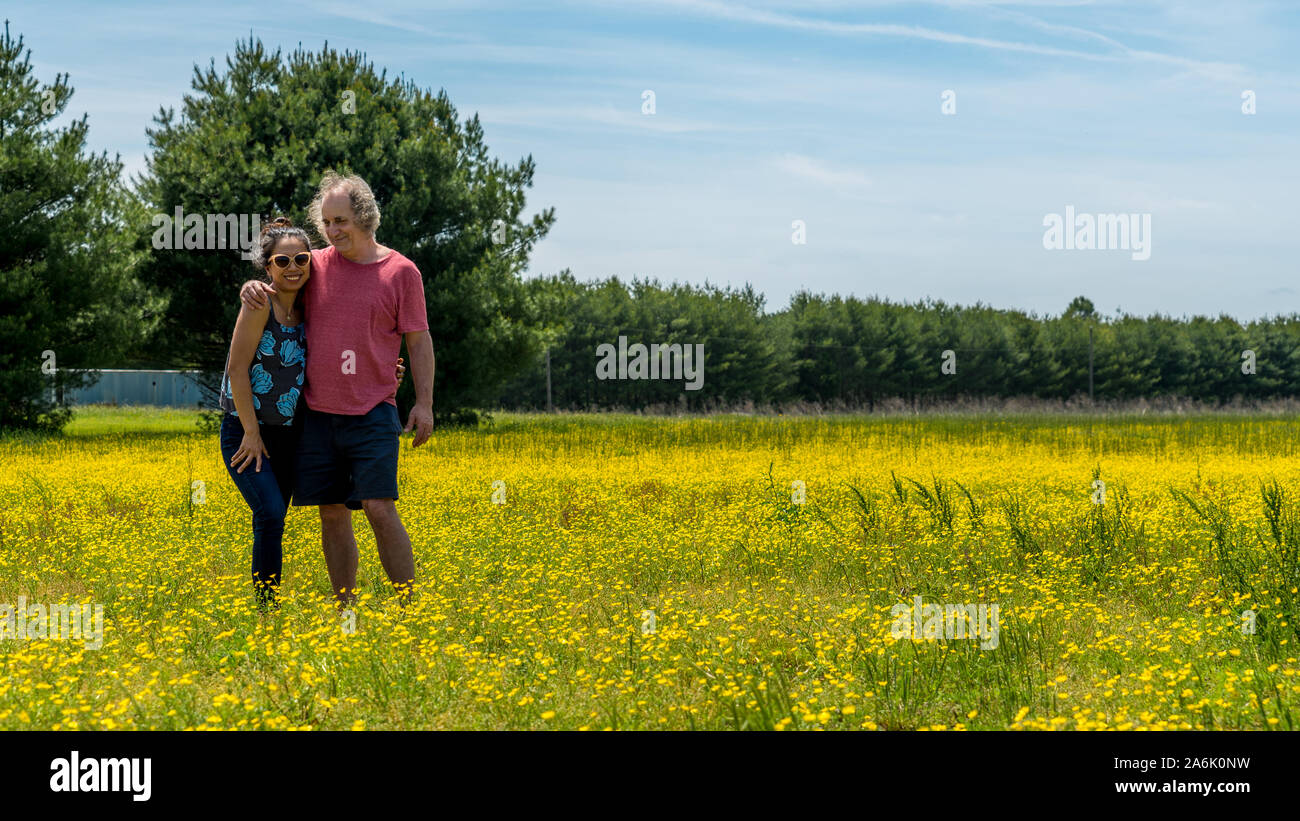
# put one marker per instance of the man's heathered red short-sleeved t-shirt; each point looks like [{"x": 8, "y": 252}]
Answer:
[{"x": 356, "y": 316}]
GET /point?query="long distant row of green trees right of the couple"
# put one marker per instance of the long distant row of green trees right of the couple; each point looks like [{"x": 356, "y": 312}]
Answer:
[{"x": 848, "y": 351}]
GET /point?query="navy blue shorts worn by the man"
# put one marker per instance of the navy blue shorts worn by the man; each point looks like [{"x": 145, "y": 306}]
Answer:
[{"x": 346, "y": 459}]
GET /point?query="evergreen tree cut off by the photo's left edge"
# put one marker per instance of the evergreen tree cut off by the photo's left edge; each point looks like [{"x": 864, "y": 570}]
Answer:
[{"x": 68, "y": 257}]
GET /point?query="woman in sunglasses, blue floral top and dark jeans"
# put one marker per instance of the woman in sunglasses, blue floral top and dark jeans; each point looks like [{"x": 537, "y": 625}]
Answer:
[{"x": 259, "y": 393}]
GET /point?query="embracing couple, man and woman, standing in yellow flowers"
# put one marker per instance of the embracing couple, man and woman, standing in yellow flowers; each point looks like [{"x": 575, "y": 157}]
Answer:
[{"x": 310, "y": 394}]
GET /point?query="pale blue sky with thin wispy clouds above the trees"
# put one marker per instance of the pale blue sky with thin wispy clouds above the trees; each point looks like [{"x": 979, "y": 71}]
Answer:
[{"x": 816, "y": 121}]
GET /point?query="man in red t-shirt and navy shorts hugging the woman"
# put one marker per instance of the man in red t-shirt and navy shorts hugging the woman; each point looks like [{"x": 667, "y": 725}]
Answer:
[{"x": 363, "y": 301}]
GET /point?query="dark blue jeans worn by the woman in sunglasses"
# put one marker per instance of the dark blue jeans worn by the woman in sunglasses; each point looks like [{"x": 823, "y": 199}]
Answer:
[{"x": 267, "y": 493}]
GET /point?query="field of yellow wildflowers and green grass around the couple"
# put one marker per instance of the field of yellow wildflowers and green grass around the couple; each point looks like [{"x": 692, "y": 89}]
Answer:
[{"x": 700, "y": 574}]
